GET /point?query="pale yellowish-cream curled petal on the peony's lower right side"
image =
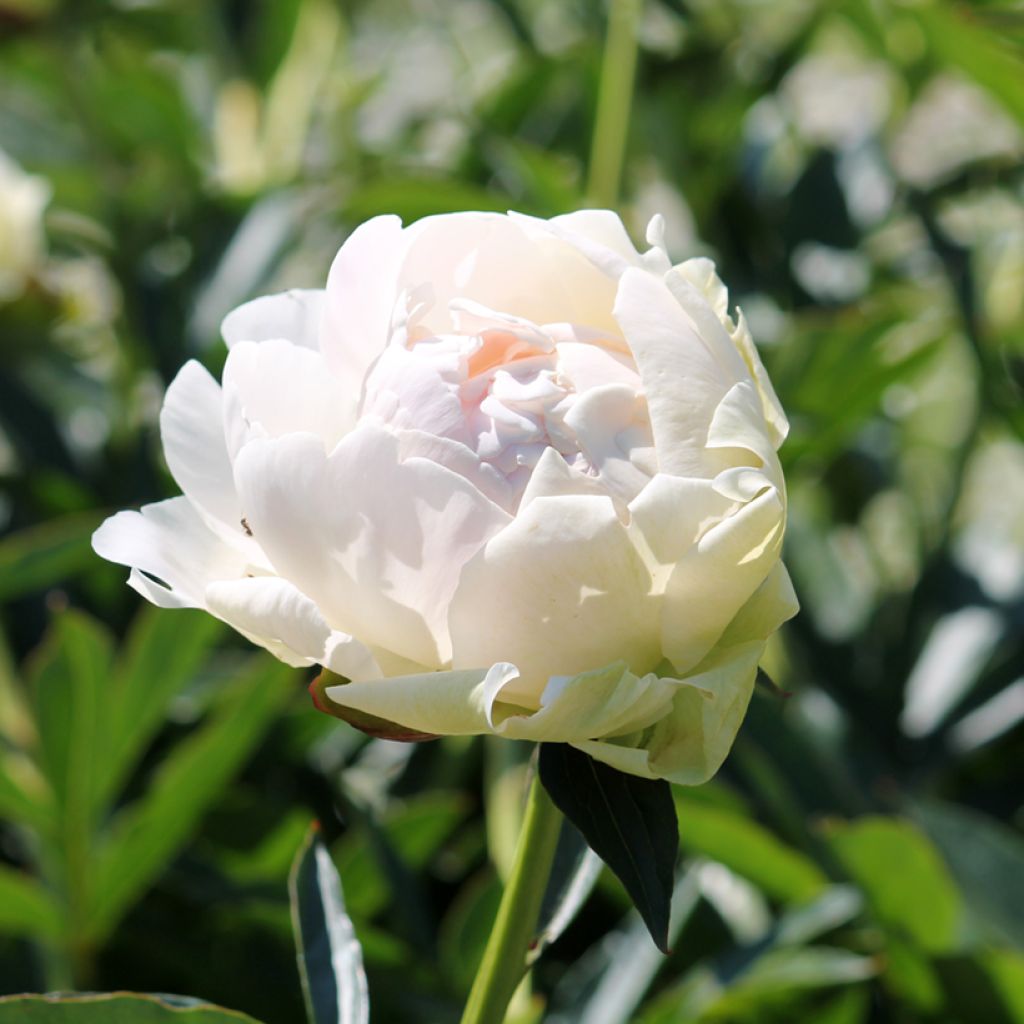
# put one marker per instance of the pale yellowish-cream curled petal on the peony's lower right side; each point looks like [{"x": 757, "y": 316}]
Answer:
[{"x": 716, "y": 577}]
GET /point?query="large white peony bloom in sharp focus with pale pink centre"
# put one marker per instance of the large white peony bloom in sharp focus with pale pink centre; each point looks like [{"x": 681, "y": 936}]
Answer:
[{"x": 503, "y": 475}]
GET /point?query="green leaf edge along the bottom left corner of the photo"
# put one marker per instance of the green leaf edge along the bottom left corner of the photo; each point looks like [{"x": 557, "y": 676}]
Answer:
[{"x": 115, "y": 1008}]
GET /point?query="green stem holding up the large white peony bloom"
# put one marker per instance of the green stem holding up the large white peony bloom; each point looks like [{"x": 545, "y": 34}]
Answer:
[{"x": 504, "y": 963}]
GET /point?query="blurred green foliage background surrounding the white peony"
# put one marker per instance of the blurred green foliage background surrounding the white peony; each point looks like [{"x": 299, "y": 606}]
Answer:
[{"x": 856, "y": 168}]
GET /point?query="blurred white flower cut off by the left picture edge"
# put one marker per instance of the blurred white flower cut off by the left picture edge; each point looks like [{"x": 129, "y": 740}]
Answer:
[{"x": 23, "y": 199}]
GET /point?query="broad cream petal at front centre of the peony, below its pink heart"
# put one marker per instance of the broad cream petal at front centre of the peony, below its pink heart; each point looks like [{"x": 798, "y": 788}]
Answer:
[{"x": 561, "y": 590}]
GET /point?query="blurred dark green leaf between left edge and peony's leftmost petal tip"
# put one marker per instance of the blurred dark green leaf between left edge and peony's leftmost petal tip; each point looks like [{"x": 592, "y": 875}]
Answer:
[{"x": 38, "y": 558}]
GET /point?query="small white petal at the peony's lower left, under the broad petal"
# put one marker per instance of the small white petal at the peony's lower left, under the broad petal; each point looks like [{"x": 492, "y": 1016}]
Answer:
[{"x": 274, "y": 614}]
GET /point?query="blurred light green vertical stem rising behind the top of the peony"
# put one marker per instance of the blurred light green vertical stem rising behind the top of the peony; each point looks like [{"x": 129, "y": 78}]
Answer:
[{"x": 615, "y": 97}]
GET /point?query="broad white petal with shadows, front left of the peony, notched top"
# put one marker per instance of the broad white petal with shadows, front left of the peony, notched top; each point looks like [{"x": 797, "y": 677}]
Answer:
[{"x": 376, "y": 543}]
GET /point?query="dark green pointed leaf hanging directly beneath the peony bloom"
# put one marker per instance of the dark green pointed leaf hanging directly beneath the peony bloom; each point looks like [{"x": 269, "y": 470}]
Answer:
[{"x": 629, "y": 823}]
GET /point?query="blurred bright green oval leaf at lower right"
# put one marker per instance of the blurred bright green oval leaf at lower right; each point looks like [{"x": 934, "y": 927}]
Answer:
[{"x": 903, "y": 876}]
